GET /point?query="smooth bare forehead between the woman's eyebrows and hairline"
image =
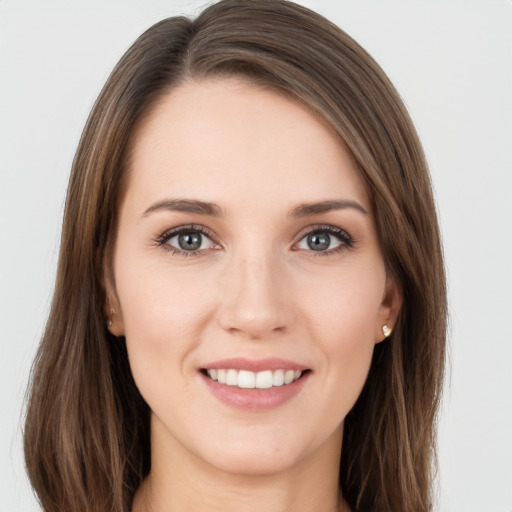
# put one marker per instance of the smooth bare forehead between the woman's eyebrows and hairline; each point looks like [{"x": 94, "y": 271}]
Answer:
[{"x": 230, "y": 139}]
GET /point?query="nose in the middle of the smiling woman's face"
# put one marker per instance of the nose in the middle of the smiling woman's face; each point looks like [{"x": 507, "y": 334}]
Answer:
[{"x": 255, "y": 301}]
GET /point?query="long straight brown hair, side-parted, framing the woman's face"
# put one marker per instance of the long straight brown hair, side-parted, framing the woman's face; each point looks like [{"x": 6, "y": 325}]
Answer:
[{"x": 87, "y": 427}]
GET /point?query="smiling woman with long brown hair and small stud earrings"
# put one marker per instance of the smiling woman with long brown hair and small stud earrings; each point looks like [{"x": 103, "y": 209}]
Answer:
[{"x": 250, "y": 303}]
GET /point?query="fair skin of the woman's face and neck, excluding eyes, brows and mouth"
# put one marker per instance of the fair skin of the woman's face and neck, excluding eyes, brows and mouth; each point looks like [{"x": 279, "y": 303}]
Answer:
[{"x": 256, "y": 289}]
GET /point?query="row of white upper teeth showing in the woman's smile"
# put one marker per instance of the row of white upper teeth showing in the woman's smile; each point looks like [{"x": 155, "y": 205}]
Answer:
[{"x": 248, "y": 380}]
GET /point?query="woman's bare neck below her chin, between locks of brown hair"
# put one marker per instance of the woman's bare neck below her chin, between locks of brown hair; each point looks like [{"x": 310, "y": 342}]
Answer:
[{"x": 180, "y": 481}]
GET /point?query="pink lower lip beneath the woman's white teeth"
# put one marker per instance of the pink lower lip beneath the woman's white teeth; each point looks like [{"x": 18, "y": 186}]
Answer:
[{"x": 255, "y": 399}]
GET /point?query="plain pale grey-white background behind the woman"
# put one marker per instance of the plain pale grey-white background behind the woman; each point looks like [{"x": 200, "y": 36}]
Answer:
[{"x": 452, "y": 63}]
